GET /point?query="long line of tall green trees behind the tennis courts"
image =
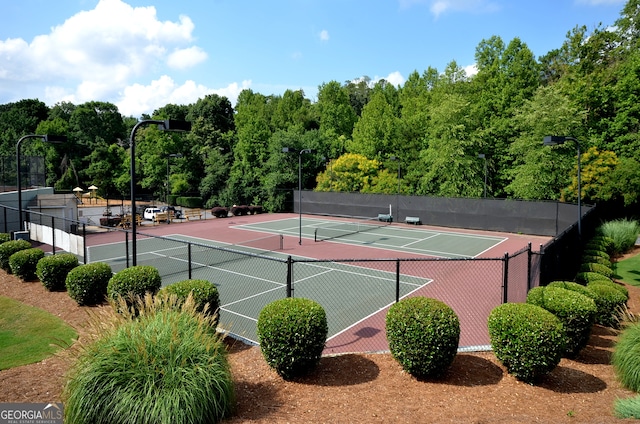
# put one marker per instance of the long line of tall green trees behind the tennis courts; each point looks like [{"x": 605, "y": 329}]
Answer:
[{"x": 442, "y": 133}]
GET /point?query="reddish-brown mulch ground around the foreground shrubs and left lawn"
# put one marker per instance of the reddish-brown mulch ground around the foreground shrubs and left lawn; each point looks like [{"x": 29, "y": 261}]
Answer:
[{"x": 368, "y": 388}]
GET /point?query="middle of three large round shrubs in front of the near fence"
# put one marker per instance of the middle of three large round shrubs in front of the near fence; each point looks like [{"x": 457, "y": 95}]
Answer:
[{"x": 423, "y": 336}]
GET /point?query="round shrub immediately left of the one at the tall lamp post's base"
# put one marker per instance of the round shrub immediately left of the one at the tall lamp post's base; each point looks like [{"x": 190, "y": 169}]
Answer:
[{"x": 87, "y": 284}]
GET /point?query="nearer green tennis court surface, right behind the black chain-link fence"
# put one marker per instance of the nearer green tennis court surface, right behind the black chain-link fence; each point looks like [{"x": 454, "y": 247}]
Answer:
[{"x": 349, "y": 293}]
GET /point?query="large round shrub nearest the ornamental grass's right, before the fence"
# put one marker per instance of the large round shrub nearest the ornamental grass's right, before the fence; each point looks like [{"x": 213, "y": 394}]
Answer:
[{"x": 292, "y": 333}]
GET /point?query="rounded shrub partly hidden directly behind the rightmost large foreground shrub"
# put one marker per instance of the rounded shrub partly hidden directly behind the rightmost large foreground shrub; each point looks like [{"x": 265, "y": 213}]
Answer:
[{"x": 576, "y": 311}]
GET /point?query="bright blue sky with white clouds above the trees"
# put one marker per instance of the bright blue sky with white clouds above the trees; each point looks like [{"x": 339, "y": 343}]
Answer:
[{"x": 143, "y": 54}]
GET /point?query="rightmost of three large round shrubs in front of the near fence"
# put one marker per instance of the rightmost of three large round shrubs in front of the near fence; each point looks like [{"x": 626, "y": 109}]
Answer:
[{"x": 527, "y": 339}]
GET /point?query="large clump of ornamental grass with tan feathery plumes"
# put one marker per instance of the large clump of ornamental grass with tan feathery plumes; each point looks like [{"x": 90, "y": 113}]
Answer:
[{"x": 165, "y": 366}]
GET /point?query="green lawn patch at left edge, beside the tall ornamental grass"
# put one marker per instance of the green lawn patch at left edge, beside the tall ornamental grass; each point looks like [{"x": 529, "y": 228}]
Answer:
[{"x": 29, "y": 334}]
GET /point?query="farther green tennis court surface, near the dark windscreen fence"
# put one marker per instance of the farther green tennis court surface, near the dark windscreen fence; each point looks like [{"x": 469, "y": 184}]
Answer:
[{"x": 447, "y": 244}]
